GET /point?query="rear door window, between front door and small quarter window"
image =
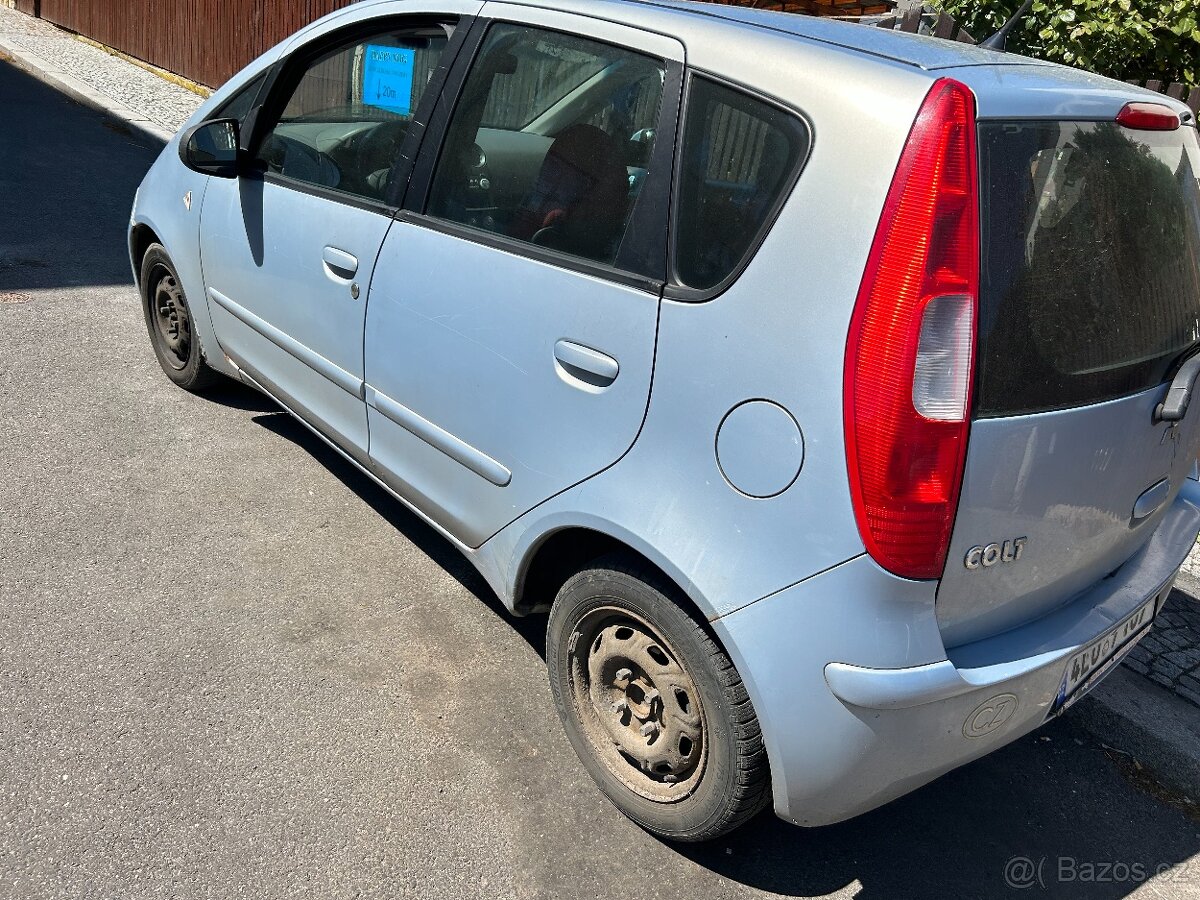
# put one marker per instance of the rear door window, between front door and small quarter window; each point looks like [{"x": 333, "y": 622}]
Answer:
[{"x": 550, "y": 142}]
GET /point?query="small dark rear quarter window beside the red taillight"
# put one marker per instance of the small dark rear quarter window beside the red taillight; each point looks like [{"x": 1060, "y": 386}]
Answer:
[{"x": 740, "y": 155}]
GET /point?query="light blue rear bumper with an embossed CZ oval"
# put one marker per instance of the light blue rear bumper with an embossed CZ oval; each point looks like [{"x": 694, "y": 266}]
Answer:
[{"x": 860, "y": 701}]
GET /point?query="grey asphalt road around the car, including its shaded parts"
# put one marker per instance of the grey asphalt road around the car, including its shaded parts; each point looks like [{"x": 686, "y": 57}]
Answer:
[{"x": 230, "y": 667}]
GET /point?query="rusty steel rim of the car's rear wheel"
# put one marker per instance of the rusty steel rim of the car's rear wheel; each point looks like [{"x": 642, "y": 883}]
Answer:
[{"x": 639, "y": 707}]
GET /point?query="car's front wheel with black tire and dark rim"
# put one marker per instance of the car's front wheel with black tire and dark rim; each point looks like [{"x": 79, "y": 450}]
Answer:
[{"x": 169, "y": 320}]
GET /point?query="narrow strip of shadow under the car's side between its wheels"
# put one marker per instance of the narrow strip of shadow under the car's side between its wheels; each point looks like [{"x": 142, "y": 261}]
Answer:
[{"x": 423, "y": 536}]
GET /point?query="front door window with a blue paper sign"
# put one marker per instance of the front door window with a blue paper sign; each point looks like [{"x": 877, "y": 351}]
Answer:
[{"x": 346, "y": 117}]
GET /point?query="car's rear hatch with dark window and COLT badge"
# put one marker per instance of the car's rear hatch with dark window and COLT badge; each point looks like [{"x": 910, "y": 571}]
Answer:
[{"x": 1090, "y": 301}]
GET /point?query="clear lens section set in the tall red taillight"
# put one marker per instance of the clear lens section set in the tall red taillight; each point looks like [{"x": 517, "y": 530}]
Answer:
[{"x": 941, "y": 383}]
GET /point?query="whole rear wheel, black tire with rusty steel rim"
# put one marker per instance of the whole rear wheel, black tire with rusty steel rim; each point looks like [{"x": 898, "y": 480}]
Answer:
[{"x": 707, "y": 791}]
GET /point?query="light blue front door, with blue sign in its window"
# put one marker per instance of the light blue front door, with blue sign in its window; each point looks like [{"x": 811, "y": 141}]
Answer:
[{"x": 289, "y": 253}]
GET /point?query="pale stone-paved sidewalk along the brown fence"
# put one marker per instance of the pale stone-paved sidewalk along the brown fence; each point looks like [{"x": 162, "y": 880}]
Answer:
[{"x": 127, "y": 92}]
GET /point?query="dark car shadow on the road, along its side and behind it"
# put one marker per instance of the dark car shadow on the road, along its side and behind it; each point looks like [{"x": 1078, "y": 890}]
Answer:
[{"x": 1051, "y": 813}]
